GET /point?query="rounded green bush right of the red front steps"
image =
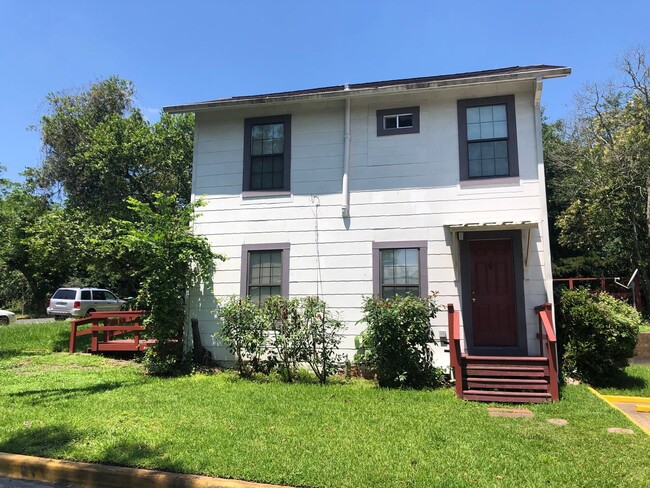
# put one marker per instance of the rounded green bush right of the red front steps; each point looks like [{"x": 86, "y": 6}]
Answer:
[{"x": 597, "y": 332}]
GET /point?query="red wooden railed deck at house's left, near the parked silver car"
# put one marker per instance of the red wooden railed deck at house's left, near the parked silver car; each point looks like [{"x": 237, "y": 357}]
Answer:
[{"x": 105, "y": 326}]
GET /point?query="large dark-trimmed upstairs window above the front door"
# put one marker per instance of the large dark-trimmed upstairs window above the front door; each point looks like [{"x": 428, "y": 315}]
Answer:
[{"x": 487, "y": 131}]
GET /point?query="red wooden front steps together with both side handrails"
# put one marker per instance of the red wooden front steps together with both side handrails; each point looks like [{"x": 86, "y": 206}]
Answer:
[{"x": 506, "y": 379}]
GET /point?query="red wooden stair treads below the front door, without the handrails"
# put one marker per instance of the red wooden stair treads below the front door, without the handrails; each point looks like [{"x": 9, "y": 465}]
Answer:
[{"x": 505, "y": 379}]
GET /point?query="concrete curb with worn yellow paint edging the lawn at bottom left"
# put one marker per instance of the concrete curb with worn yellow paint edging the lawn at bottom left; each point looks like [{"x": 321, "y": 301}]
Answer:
[{"x": 78, "y": 475}]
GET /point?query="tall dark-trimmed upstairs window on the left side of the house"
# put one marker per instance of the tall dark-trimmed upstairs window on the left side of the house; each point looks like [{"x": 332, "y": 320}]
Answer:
[{"x": 267, "y": 154}]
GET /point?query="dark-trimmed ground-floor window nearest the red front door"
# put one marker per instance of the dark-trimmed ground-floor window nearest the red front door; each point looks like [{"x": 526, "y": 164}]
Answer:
[{"x": 400, "y": 268}]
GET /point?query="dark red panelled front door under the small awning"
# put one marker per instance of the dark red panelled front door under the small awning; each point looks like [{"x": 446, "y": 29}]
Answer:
[{"x": 494, "y": 313}]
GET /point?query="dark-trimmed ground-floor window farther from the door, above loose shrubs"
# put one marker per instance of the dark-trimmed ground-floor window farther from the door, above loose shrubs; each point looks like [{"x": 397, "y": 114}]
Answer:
[{"x": 264, "y": 271}]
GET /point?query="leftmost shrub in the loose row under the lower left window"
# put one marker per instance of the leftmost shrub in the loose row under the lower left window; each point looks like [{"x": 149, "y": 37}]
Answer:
[{"x": 243, "y": 331}]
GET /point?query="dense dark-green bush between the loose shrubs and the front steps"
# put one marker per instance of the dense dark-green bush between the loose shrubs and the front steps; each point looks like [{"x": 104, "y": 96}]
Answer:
[{"x": 396, "y": 343}]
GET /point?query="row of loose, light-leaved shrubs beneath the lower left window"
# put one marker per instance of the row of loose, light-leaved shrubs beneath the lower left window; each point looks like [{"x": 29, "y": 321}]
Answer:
[{"x": 283, "y": 333}]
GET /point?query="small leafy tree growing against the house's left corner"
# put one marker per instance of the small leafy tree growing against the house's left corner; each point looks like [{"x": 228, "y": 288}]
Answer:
[{"x": 171, "y": 259}]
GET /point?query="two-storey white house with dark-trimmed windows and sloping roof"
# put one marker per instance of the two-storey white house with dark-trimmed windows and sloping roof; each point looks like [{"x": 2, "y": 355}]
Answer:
[{"x": 419, "y": 185}]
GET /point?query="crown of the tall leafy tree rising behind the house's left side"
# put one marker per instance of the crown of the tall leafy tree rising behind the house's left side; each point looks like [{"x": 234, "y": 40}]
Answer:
[{"x": 99, "y": 150}]
